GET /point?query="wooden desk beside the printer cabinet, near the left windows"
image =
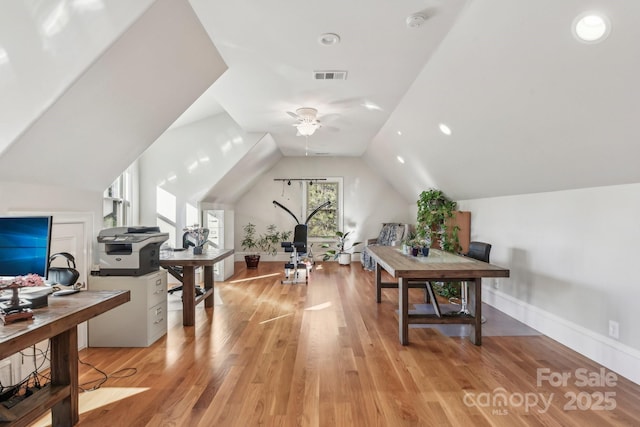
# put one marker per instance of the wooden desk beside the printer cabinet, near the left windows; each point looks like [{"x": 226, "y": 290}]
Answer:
[{"x": 189, "y": 262}]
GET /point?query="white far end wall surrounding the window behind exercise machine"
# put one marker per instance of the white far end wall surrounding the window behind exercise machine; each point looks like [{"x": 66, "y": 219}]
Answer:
[{"x": 368, "y": 200}]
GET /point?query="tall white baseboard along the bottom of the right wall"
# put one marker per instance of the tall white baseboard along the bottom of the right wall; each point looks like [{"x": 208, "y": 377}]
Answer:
[{"x": 610, "y": 353}]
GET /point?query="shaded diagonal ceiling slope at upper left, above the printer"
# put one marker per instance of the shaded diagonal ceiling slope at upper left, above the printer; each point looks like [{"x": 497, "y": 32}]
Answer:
[{"x": 120, "y": 104}]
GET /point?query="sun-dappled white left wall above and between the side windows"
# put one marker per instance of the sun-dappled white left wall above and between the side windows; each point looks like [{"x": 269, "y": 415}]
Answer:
[{"x": 188, "y": 161}]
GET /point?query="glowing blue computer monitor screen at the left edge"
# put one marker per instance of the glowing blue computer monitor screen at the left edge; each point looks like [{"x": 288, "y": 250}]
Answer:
[{"x": 24, "y": 245}]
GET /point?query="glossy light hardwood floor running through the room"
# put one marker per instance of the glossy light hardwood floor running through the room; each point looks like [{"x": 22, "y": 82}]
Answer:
[{"x": 327, "y": 355}]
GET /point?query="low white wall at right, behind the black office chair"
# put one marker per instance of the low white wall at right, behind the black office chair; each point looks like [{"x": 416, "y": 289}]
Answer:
[{"x": 572, "y": 256}]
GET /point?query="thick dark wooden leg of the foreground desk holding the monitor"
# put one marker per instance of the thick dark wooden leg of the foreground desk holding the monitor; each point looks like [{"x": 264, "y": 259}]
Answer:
[{"x": 64, "y": 370}]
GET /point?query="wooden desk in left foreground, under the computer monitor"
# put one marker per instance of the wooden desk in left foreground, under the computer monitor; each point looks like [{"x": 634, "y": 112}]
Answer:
[{"x": 58, "y": 322}]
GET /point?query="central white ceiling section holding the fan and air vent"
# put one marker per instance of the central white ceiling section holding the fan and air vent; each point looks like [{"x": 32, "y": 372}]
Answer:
[{"x": 272, "y": 49}]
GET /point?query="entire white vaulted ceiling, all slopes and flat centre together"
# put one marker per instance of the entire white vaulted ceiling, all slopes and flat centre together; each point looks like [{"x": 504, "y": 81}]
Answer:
[{"x": 530, "y": 107}]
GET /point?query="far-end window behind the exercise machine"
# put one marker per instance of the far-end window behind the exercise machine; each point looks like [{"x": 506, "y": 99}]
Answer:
[{"x": 328, "y": 220}]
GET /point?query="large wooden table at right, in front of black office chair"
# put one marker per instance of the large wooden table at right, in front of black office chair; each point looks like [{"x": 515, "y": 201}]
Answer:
[{"x": 438, "y": 266}]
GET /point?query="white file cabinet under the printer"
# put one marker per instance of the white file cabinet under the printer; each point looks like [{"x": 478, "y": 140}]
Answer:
[{"x": 138, "y": 323}]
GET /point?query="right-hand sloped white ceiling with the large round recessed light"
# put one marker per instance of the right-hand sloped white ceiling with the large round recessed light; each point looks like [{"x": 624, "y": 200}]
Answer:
[{"x": 531, "y": 108}]
